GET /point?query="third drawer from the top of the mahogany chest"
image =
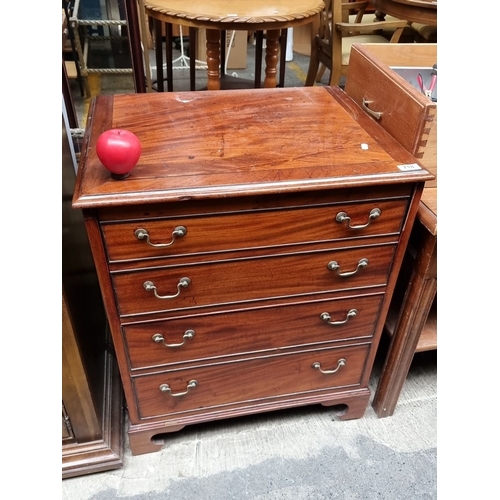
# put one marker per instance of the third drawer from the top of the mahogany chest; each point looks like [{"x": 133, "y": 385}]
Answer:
[{"x": 211, "y": 336}]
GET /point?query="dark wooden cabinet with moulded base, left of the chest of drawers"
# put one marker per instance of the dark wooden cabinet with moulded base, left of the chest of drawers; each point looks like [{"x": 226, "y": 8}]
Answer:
[{"x": 92, "y": 410}]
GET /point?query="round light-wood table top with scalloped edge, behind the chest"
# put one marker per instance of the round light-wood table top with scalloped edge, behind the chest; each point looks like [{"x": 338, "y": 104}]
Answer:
[{"x": 235, "y": 13}]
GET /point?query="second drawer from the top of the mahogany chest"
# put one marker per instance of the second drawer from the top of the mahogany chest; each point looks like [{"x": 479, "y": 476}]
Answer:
[{"x": 241, "y": 280}]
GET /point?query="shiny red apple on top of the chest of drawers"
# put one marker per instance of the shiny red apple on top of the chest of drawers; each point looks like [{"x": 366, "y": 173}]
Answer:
[{"x": 119, "y": 151}]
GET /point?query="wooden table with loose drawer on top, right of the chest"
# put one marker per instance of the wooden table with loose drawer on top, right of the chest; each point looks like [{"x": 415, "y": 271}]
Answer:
[{"x": 411, "y": 118}]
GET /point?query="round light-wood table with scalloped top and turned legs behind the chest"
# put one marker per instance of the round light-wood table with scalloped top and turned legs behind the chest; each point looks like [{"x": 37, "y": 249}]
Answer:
[{"x": 223, "y": 15}]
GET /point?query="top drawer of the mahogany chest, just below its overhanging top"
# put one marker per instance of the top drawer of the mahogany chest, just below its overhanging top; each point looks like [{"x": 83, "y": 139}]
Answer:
[{"x": 189, "y": 234}]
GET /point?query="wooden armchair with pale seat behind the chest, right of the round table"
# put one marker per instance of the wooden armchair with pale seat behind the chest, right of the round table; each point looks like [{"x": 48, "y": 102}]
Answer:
[{"x": 335, "y": 35}]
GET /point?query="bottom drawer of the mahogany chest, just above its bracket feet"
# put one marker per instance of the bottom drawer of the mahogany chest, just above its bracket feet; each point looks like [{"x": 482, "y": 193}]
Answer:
[{"x": 242, "y": 382}]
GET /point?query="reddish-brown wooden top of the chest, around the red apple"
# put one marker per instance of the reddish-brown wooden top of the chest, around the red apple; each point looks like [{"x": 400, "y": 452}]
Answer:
[{"x": 239, "y": 142}]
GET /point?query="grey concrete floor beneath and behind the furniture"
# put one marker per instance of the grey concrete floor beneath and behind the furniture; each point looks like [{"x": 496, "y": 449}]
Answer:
[{"x": 304, "y": 453}]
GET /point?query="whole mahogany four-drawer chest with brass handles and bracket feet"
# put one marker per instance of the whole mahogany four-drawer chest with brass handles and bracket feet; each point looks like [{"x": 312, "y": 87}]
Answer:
[{"x": 247, "y": 262}]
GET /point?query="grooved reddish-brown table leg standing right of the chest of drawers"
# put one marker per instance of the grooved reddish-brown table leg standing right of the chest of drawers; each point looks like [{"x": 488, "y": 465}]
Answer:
[{"x": 413, "y": 315}]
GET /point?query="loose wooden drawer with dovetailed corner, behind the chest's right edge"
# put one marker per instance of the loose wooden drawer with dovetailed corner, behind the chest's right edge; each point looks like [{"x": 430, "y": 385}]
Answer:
[{"x": 409, "y": 116}]
